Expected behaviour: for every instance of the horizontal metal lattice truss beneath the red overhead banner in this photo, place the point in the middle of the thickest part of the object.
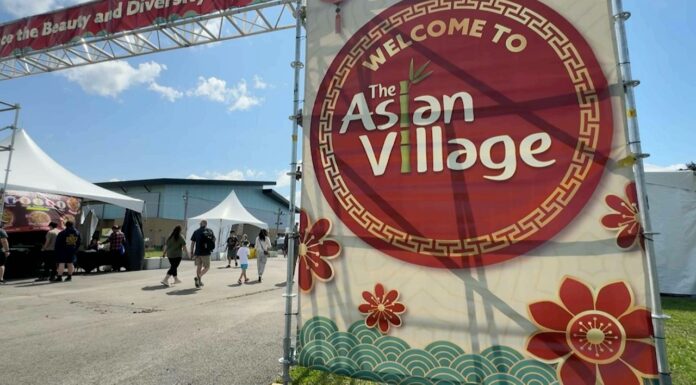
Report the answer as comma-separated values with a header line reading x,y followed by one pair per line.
x,y
234,23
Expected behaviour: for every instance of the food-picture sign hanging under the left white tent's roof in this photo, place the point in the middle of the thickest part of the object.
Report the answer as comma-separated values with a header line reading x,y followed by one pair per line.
x,y
33,211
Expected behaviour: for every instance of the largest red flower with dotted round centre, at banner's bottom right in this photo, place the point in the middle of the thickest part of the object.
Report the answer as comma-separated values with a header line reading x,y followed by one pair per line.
x,y
602,335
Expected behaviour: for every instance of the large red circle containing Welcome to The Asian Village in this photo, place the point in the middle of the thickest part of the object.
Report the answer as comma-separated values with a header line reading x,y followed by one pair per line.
x,y
502,115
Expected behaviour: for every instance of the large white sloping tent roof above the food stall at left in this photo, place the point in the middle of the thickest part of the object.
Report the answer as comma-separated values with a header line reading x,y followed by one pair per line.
x,y
33,170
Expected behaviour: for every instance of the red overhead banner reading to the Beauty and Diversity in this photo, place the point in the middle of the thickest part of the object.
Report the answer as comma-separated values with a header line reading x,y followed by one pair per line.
x,y
100,18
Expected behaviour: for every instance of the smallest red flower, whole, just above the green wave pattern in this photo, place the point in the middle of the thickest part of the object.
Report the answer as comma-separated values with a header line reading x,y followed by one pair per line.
x,y
382,308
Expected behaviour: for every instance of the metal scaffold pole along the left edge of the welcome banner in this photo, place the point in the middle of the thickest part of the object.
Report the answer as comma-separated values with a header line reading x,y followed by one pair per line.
x,y
288,354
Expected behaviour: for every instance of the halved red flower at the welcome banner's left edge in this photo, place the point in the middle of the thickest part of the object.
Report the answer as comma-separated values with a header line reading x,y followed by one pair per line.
x,y
315,251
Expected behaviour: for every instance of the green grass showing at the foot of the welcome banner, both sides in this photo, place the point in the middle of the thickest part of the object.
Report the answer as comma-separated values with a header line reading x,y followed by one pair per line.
x,y
681,349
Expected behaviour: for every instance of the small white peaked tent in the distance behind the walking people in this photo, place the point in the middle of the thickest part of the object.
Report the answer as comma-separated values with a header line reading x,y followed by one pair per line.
x,y
222,217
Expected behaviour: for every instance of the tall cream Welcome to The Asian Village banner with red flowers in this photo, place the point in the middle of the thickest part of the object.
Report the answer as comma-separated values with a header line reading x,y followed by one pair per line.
x,y
469,210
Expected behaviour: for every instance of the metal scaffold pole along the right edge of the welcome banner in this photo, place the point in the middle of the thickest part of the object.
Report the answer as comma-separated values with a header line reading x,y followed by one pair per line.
x,y
620,17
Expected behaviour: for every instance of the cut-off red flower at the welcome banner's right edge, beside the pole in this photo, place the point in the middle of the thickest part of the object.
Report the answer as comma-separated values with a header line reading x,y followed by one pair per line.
x,y
625,218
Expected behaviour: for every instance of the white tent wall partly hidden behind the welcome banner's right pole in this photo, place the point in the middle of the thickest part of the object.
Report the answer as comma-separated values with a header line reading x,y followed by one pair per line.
x,y
672,198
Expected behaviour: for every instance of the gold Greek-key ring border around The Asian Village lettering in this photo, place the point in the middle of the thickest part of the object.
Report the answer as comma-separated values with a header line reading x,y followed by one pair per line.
x,y
550,208
